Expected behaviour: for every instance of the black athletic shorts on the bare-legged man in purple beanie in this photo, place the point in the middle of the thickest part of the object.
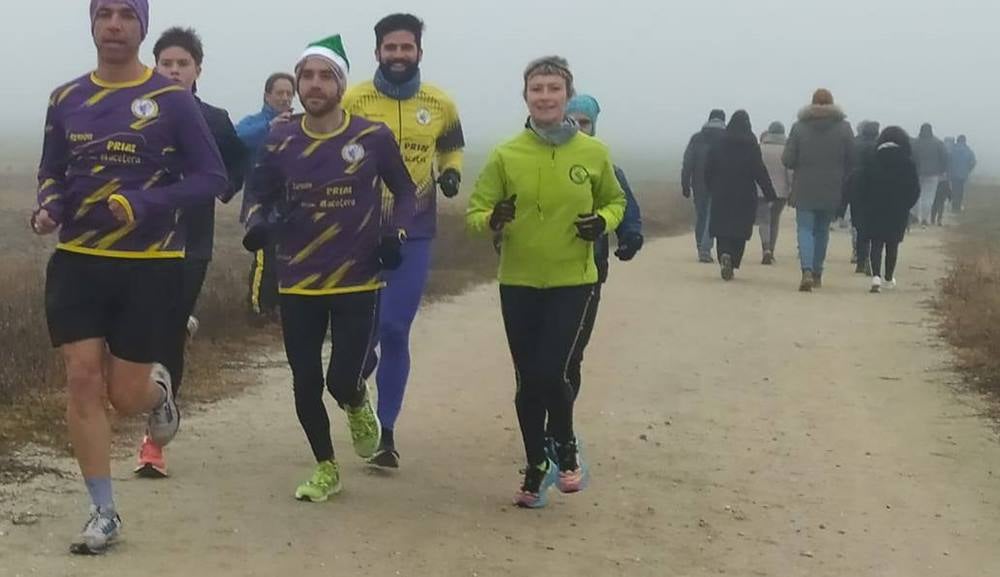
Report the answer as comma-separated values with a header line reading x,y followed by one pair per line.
x,y
130,303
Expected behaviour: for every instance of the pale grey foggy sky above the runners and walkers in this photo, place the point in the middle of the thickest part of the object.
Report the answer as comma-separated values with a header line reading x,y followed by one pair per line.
x,y
657,67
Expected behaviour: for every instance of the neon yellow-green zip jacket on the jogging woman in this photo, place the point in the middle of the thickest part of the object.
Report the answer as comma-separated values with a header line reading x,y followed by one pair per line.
x,y
554,185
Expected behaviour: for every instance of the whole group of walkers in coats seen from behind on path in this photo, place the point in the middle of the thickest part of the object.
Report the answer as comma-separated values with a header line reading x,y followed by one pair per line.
x,y
885,179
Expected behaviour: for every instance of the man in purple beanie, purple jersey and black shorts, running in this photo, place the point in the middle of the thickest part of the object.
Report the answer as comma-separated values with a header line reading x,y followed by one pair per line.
x,y
125,151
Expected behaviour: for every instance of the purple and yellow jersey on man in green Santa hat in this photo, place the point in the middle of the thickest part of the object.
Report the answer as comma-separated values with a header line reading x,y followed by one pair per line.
x,y
327,190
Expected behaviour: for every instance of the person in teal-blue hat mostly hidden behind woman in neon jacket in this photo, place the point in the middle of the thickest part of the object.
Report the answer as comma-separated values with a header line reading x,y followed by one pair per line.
x,y
584,109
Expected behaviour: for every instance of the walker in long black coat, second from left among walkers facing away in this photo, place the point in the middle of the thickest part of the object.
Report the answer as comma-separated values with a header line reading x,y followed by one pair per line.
x,y
734,171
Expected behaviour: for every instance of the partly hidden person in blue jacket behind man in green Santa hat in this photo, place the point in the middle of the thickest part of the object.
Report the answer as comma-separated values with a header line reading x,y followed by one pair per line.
x,y
279,90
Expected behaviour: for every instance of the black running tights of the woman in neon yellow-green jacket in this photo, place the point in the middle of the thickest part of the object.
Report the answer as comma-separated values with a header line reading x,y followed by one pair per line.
x,y
546,331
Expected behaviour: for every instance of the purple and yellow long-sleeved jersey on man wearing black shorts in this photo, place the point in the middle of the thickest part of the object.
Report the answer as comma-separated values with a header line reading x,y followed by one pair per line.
x,y
143,144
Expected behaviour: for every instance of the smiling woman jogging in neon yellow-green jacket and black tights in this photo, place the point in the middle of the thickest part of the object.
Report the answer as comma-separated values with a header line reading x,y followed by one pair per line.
x,y
549,194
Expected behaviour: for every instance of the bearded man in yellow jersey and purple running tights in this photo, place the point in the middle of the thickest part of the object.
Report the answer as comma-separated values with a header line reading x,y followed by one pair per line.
x,y
426,125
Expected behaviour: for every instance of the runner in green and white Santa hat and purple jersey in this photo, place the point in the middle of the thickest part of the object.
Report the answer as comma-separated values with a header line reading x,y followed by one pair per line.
x,y
317,193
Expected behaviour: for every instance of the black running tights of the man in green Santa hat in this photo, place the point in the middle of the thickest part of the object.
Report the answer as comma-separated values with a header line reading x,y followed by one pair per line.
x,y
352,320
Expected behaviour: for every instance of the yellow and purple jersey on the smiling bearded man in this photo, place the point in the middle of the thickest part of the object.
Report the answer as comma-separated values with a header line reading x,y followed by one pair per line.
x,y
430,137
